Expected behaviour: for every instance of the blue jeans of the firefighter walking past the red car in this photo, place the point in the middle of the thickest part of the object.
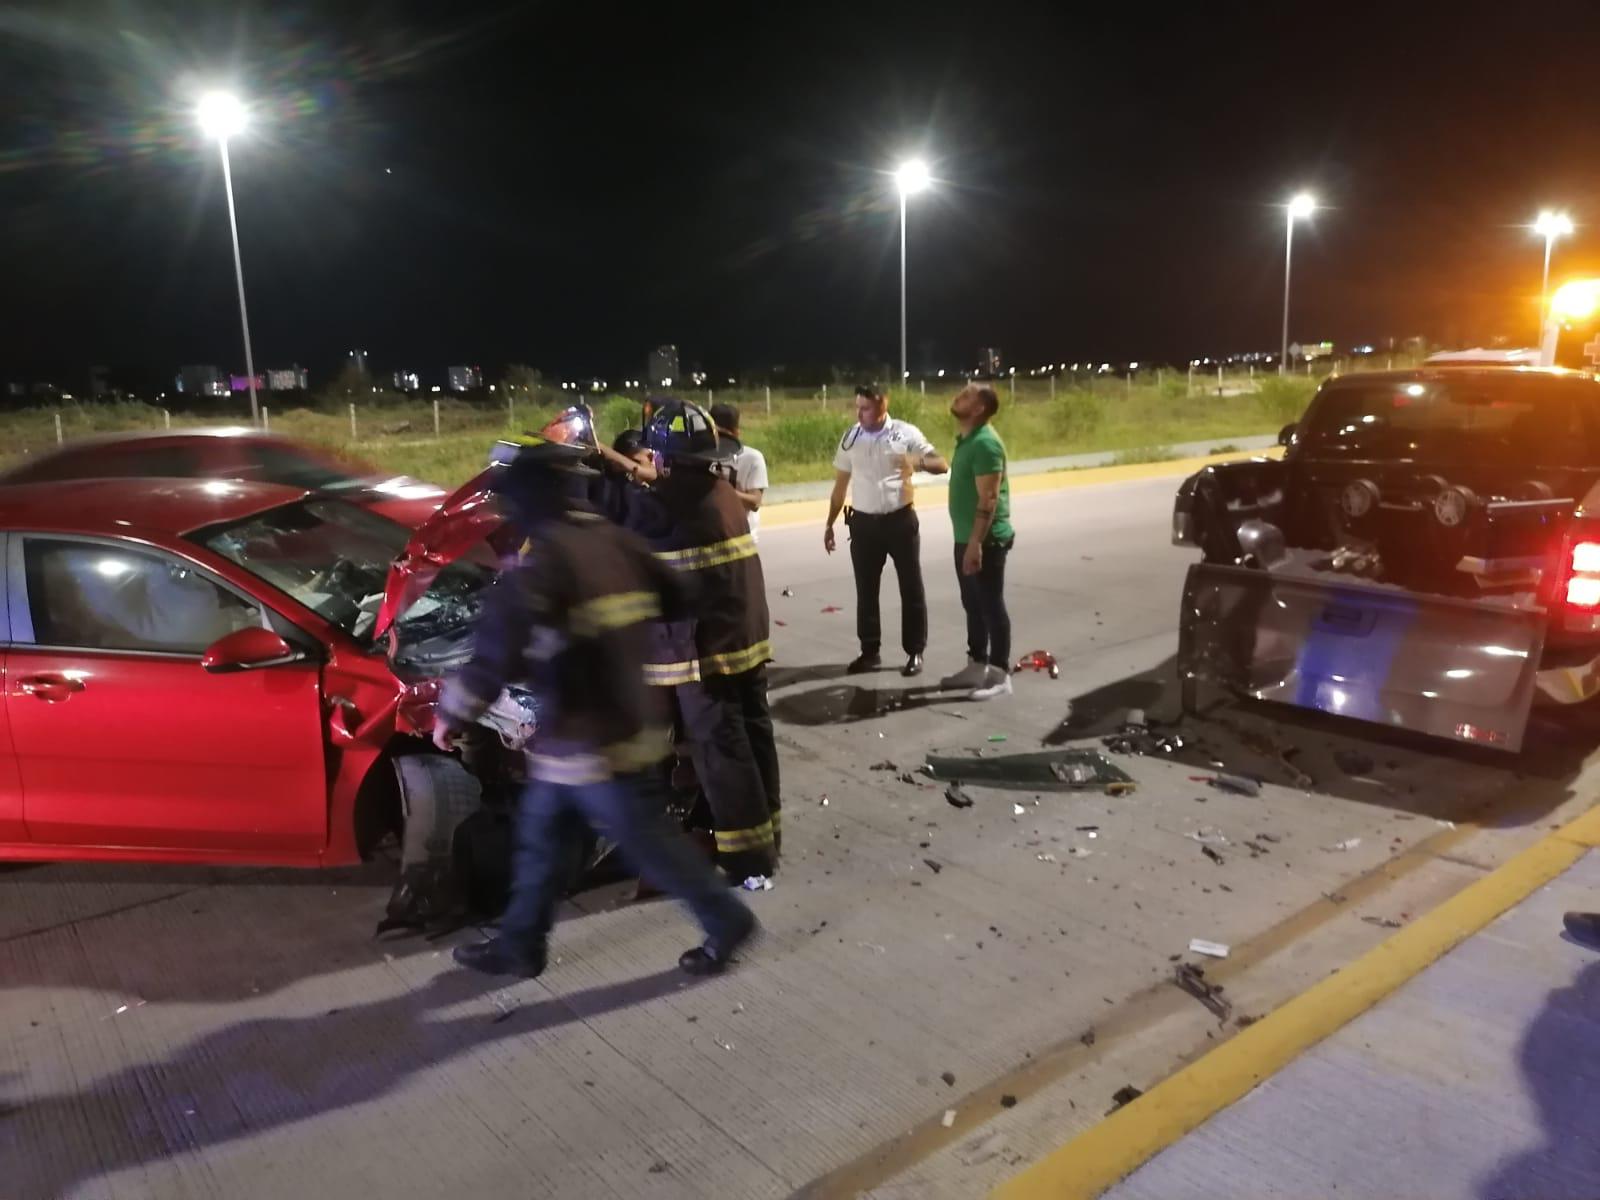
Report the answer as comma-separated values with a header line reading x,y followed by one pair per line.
x,y
628,810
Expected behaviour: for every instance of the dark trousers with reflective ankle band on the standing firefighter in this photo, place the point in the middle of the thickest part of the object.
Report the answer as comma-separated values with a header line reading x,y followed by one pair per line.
x,y
730,730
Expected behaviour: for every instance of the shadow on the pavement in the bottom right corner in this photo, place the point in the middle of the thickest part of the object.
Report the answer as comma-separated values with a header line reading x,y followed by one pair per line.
x,y
1561,1066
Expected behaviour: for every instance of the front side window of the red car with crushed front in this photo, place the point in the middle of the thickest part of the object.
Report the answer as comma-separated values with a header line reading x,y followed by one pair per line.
x,y
102,596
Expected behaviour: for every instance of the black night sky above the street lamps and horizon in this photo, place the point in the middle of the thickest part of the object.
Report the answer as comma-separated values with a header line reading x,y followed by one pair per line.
x,y
570,185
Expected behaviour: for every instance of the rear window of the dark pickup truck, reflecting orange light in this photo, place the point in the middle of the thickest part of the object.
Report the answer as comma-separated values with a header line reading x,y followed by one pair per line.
x,y
1476,420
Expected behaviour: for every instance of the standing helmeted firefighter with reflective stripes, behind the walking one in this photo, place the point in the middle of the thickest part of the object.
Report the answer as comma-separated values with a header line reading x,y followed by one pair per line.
x,y
722,681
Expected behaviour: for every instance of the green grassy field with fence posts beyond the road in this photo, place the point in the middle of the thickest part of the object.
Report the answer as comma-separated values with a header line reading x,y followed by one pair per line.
x,y
799,436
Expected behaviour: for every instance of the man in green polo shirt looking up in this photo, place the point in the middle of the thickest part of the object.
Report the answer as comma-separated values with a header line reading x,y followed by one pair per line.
x,y
982,519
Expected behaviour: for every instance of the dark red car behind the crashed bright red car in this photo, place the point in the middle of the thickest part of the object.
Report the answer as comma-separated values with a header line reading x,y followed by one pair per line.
x,y
230,454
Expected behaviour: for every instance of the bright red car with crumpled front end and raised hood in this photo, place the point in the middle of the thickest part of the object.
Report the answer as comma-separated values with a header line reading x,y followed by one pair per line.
x,y
193,673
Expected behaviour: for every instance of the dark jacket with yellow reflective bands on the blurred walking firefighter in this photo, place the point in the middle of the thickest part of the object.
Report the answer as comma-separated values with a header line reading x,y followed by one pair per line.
x,y
572,622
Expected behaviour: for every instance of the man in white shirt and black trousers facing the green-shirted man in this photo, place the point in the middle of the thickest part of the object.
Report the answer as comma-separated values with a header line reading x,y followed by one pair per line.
x,y
874,465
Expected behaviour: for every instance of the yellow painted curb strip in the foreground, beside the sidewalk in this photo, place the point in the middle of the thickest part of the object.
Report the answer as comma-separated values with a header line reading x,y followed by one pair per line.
x,y
1102,1156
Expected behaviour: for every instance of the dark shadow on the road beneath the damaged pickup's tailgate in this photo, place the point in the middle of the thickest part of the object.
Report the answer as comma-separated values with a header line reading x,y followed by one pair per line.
x,y
1345,759
